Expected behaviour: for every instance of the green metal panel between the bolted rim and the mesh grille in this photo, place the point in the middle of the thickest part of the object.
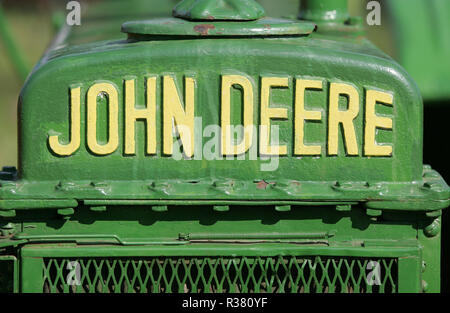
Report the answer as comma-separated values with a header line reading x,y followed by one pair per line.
x,y
203,232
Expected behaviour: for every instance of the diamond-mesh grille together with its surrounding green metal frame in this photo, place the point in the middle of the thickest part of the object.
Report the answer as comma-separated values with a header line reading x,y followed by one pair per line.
x,y
211,269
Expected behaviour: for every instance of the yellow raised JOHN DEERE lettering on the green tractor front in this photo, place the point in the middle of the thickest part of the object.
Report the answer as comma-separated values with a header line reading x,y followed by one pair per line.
x,y
178,112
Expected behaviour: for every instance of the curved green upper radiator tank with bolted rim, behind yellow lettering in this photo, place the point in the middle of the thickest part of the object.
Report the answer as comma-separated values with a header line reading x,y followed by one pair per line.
x,y
394,173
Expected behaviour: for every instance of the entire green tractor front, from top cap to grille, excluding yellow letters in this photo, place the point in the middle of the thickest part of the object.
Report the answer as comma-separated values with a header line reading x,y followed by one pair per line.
x,y
119,212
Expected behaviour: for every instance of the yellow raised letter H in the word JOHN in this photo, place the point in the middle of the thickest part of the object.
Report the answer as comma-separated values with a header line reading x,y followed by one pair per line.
x,y
132,114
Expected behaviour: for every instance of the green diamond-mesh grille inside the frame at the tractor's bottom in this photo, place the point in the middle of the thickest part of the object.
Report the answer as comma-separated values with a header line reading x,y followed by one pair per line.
x,y
221,274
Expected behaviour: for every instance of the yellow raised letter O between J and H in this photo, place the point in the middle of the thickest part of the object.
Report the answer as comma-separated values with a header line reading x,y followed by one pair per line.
x,y
110,91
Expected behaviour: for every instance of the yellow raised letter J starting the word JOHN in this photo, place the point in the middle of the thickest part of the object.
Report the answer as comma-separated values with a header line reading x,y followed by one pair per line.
x,y
75,116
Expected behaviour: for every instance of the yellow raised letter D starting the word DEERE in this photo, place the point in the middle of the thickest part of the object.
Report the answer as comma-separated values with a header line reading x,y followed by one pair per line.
x,y
228,81
